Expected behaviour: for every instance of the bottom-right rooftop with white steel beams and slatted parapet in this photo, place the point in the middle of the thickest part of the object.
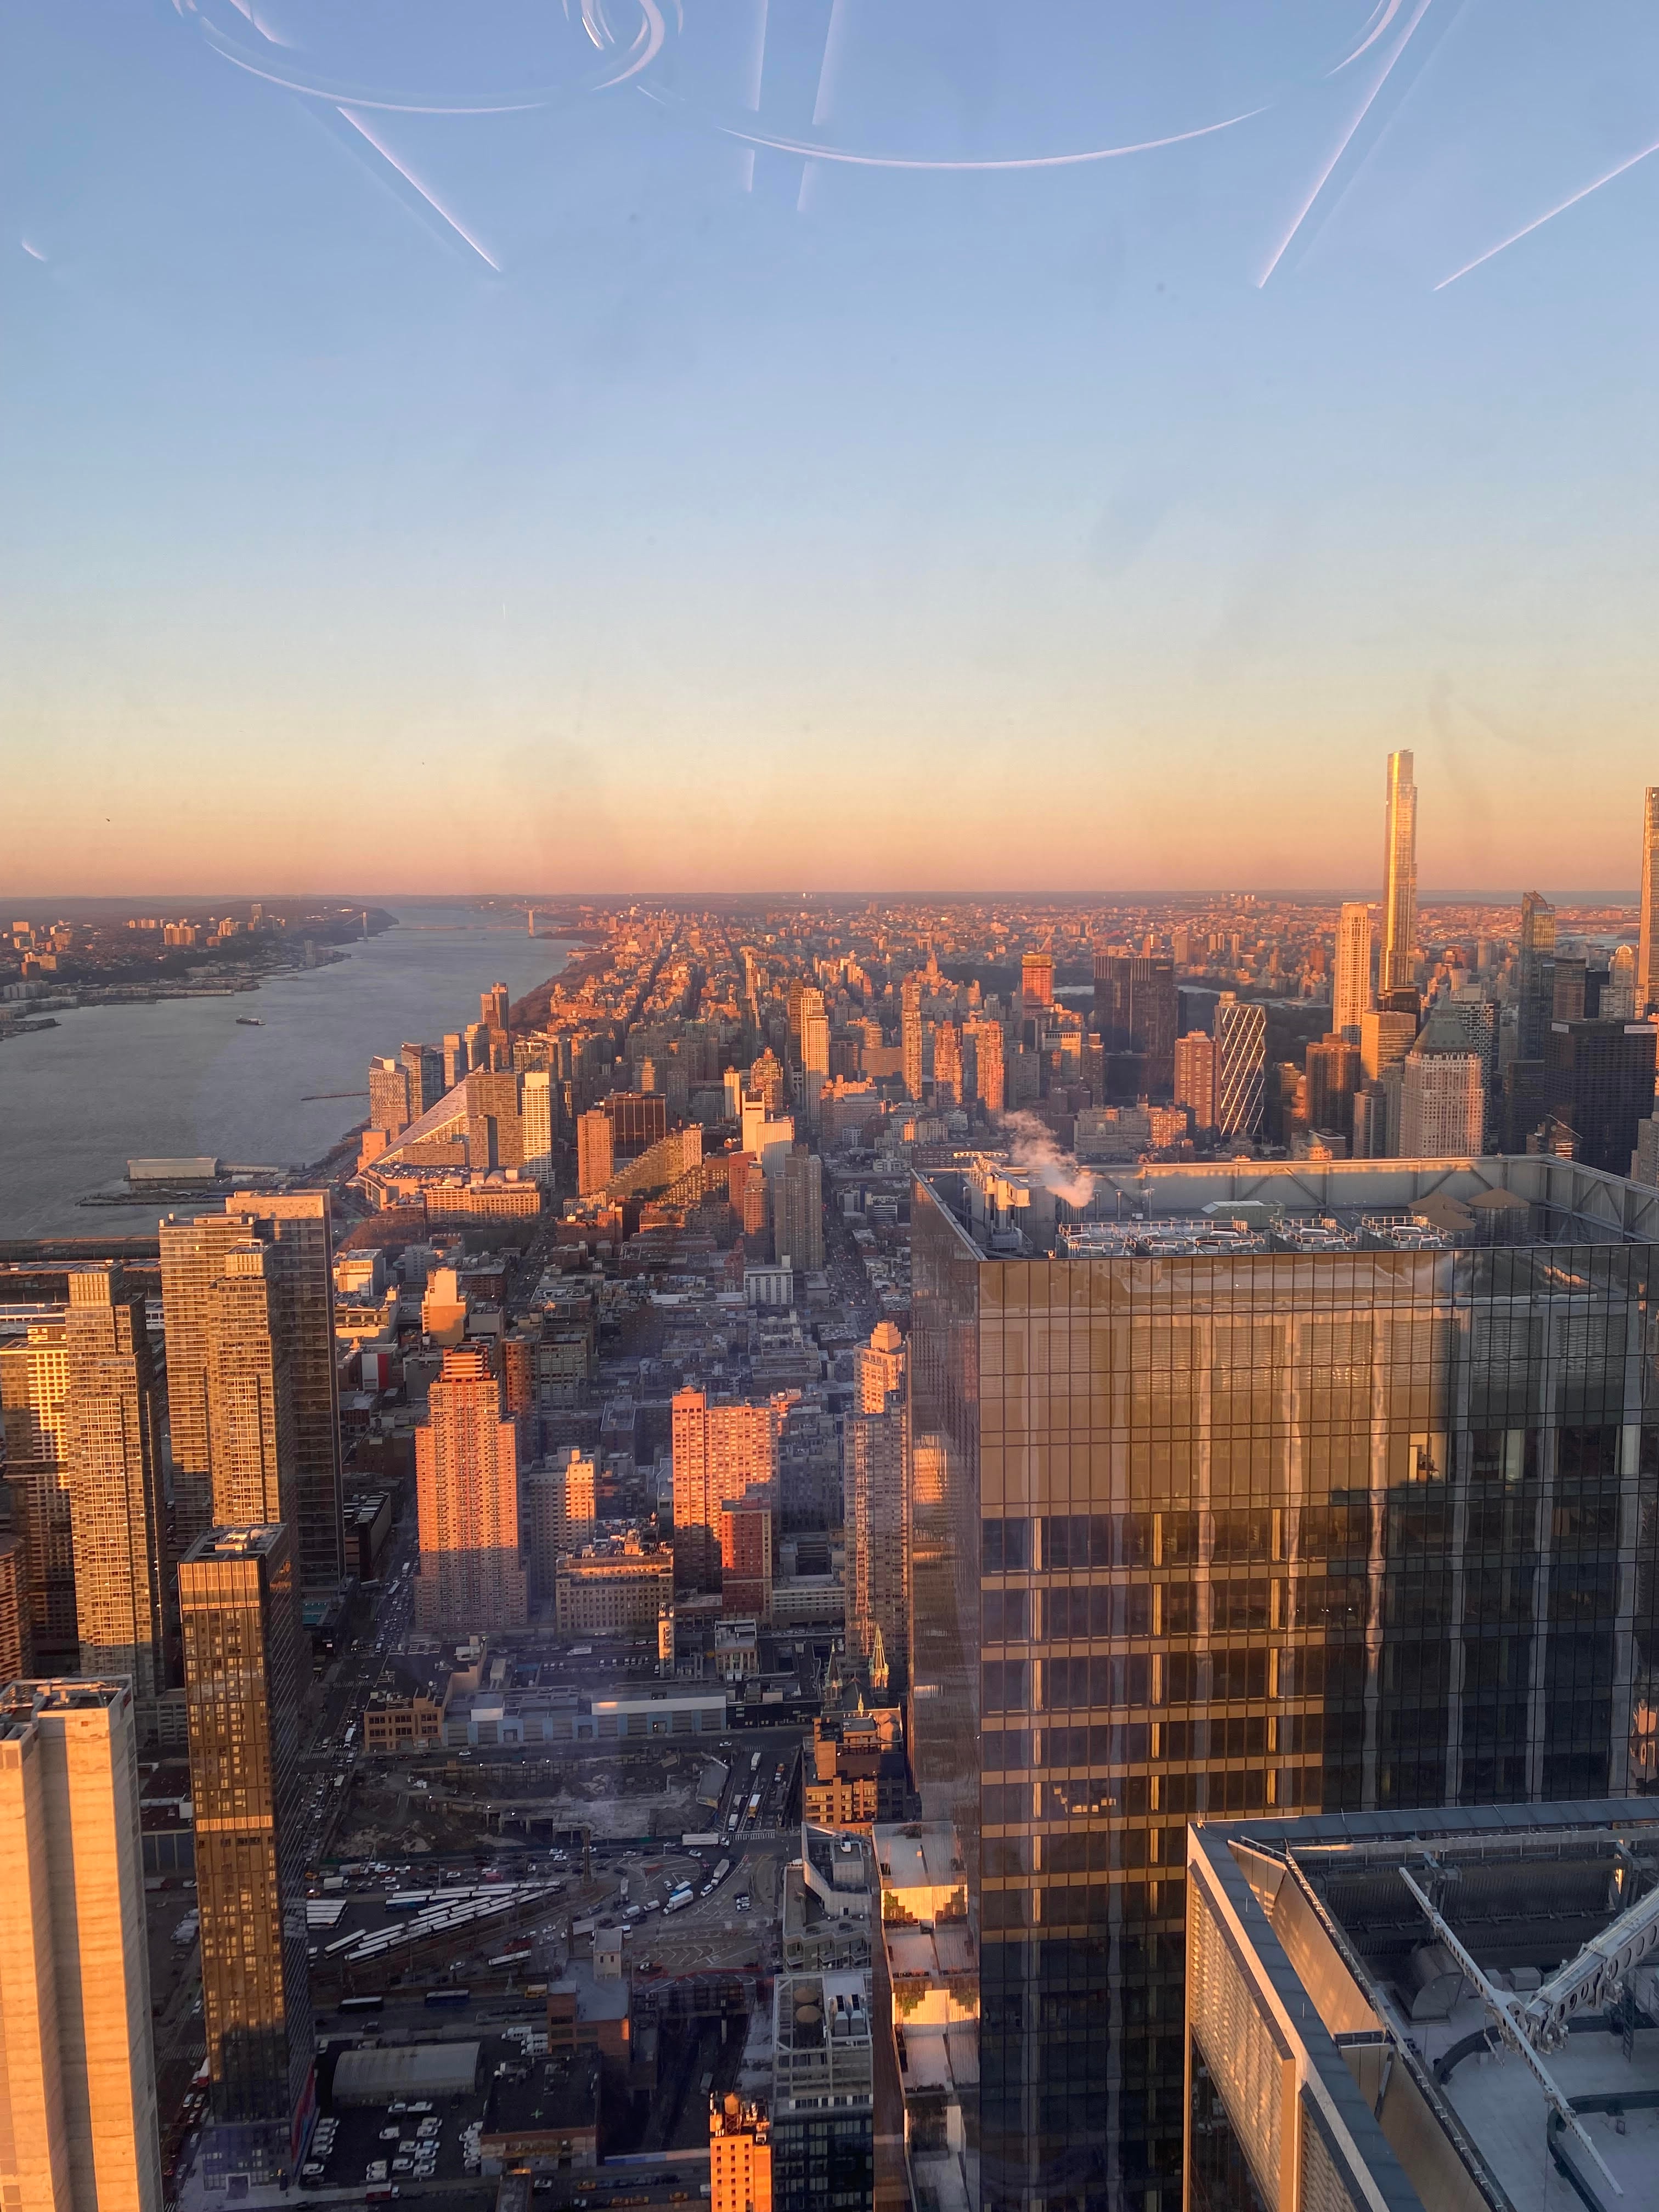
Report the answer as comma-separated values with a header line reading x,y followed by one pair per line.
x,y
1470,1996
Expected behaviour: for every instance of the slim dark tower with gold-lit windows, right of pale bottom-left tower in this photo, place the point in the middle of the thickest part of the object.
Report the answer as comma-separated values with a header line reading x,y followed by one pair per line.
x,y
242,1676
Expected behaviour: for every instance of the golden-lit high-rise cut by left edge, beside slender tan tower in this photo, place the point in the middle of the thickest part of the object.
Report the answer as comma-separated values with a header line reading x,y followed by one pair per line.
x,y
34,1408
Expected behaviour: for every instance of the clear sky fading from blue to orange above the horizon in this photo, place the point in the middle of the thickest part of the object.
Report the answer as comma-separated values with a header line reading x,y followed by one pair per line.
x,y
605,446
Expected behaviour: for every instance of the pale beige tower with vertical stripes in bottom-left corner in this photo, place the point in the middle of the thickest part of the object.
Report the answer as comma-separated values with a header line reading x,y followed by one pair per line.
x,y
79,2109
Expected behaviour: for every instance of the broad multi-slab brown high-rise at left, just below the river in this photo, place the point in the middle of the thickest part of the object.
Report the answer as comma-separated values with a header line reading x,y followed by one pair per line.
x,y
253,1388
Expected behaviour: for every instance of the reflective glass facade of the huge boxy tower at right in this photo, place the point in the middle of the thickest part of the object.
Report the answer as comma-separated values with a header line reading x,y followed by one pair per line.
x,y
1331,1530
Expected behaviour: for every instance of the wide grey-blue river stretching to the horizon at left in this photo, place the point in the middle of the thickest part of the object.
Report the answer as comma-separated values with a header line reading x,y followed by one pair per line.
x,y
182,1076
